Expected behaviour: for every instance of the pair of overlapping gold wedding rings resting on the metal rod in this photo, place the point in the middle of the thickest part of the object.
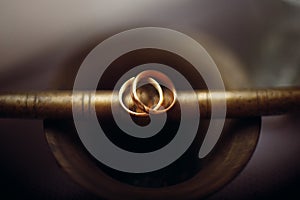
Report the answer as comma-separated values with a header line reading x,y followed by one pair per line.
x,y
151,77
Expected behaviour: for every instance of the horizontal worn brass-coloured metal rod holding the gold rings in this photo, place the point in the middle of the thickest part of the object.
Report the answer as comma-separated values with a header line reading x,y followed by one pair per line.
x,y
58,104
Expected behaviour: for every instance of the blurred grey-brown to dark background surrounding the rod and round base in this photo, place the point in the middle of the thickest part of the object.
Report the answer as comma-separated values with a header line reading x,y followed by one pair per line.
x,y
39,38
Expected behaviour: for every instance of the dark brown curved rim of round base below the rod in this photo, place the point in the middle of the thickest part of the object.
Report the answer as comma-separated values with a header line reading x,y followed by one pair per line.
x,y
231,154
